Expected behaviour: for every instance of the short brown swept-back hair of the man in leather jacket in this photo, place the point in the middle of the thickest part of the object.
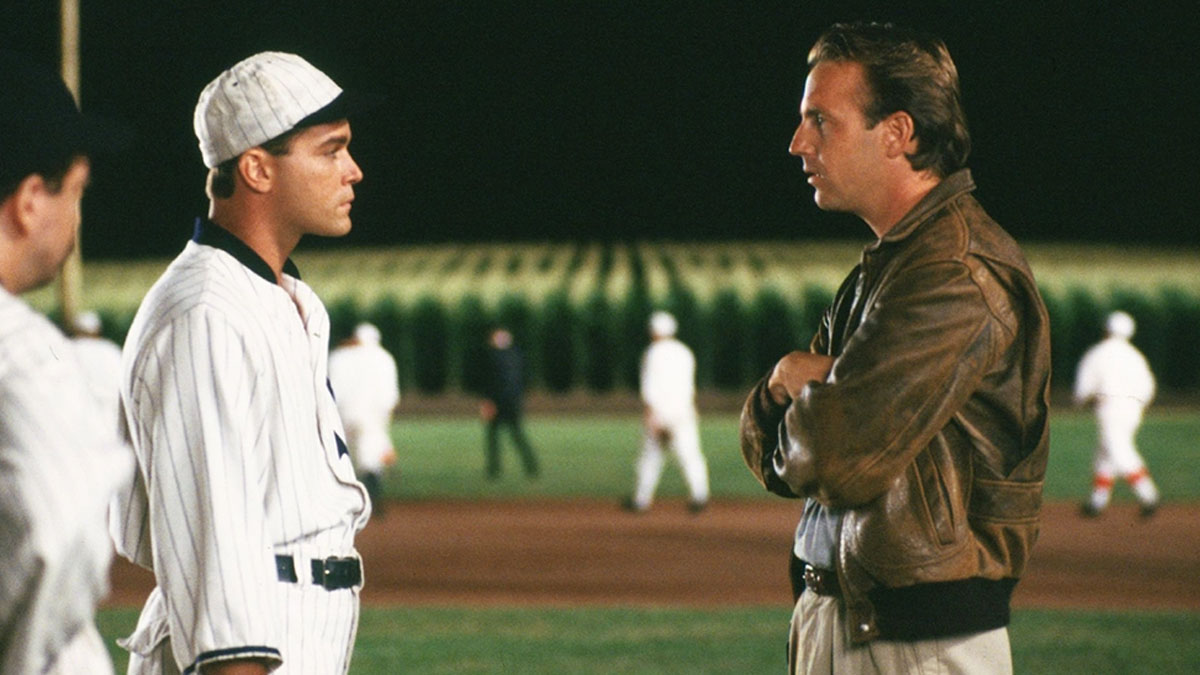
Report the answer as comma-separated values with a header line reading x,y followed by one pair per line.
x,y
907,71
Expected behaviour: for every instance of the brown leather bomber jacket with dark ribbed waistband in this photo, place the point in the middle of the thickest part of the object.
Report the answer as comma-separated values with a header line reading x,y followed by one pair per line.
x,y
932,429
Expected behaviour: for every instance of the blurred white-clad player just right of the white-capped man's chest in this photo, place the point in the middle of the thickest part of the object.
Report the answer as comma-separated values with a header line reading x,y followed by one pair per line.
x,y
368,391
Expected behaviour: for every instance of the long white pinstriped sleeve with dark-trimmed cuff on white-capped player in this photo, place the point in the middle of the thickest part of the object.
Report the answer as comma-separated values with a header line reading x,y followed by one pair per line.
x,y
200,410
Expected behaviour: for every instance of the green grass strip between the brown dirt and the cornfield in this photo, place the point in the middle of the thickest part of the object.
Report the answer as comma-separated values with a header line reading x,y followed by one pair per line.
x,y
593,456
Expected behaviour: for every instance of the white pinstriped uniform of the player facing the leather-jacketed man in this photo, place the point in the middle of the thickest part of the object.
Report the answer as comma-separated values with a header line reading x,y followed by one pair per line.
x,y
241,458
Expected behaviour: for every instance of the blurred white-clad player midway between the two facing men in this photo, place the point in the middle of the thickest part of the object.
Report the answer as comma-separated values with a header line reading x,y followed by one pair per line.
x,y
669,391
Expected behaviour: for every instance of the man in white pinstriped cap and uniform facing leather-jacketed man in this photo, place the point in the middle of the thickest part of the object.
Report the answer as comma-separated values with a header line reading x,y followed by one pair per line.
x,y
247,504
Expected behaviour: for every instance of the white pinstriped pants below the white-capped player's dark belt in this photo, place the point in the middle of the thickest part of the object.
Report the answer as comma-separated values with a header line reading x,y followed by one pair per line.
x,y
319,634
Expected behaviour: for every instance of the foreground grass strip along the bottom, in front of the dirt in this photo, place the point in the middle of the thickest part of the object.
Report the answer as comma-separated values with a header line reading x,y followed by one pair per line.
x,y
734,641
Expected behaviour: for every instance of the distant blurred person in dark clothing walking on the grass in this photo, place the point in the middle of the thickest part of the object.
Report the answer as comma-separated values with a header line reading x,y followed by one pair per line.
x,y
505,391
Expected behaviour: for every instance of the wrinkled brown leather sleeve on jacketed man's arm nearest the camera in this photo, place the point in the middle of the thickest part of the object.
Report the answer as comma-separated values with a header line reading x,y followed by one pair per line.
x,y
923,348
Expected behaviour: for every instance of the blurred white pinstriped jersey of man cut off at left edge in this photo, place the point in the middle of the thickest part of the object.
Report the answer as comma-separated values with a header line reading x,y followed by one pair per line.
x,y
59,467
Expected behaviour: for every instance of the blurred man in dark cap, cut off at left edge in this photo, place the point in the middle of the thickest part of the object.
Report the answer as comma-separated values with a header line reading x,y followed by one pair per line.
x,y
61,462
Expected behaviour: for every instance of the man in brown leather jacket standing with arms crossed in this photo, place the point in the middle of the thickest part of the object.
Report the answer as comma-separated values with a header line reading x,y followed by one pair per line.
x,y
916,426
